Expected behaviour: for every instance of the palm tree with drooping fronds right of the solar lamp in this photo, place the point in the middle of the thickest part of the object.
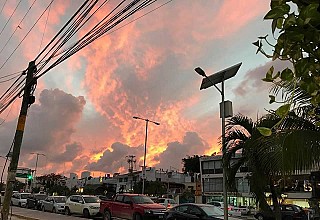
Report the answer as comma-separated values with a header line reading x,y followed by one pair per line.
x,y
293,146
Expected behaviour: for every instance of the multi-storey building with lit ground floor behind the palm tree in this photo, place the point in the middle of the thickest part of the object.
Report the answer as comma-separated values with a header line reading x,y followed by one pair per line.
x,y
297,188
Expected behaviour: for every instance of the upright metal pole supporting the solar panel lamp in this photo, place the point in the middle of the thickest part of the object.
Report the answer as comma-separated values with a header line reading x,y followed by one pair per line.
x,y
224,181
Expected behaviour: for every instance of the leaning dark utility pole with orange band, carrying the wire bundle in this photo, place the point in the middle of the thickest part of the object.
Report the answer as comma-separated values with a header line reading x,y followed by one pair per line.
x,y
26,102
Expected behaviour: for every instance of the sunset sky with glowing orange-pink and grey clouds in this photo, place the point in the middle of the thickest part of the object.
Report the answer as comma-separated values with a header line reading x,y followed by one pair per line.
x,y
82,117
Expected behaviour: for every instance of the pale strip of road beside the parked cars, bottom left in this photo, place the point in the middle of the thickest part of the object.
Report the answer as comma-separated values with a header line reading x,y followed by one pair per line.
x,y
40,215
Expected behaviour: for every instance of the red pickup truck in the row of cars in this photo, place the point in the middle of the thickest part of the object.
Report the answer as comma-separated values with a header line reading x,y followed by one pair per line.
x,y
131,206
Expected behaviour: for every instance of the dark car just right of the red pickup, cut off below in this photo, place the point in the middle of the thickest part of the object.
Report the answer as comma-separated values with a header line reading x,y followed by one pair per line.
x,y
190,211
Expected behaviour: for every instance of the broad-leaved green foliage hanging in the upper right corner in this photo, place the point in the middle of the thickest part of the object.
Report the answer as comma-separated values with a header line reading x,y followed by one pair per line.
x,y
296,29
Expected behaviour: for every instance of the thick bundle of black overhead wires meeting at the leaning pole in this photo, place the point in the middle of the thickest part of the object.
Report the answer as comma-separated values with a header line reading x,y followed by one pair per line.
x,y
55,48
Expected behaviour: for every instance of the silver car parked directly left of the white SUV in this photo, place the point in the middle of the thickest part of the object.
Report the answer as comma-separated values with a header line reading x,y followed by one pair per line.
x,y
54,204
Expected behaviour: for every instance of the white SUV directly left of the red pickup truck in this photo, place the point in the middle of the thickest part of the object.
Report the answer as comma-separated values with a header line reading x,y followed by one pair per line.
x,y
87,205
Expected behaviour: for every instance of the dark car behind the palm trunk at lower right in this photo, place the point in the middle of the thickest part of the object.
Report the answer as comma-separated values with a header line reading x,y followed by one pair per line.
x,y
288,212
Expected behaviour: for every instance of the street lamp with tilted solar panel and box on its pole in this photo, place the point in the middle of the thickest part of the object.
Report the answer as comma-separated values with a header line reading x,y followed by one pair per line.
x,y
207,82
